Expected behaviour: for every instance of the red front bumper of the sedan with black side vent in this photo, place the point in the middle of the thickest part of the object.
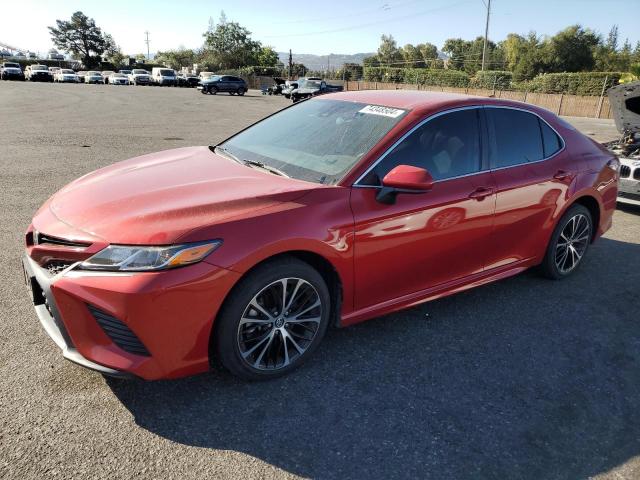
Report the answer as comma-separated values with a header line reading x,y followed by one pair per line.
x,y
171,313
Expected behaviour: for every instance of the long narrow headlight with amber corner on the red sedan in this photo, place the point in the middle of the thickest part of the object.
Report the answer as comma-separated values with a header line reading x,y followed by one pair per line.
x,y
133,258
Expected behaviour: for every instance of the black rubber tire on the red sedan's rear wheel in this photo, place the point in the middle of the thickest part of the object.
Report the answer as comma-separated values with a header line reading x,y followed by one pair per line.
x,y
552,265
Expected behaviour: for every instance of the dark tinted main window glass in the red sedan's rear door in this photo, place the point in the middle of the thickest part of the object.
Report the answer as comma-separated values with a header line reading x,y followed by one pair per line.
x,y
516,135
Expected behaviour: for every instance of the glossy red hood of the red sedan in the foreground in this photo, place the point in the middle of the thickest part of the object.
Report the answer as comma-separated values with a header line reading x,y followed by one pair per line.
x,y
160,197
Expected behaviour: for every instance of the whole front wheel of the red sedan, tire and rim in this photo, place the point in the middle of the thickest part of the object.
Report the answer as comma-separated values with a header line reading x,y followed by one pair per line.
x,y
273,320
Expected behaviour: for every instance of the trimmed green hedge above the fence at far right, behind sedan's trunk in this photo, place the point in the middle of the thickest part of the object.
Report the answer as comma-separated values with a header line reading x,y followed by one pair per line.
x,y
579,83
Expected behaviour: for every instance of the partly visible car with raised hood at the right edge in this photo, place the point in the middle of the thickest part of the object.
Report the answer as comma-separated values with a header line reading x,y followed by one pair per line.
x,y
625,104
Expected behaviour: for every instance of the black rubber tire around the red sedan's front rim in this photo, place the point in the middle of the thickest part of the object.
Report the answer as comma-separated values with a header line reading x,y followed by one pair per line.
x,y
226,340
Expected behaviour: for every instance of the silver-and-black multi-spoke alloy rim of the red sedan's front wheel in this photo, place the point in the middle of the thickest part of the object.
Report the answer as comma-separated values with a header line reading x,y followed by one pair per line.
x,y
279,324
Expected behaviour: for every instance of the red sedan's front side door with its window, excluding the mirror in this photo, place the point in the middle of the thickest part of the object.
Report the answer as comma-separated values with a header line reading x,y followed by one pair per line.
x,y
427,239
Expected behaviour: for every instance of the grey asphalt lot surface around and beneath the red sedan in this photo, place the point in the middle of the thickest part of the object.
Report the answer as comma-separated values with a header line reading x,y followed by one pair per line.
x,y
524,378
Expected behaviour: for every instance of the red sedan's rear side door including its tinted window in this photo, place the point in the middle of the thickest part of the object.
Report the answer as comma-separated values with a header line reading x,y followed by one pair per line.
x,y
532,176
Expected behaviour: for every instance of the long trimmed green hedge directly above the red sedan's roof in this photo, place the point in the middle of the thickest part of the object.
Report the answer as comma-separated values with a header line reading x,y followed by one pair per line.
x,y
422,76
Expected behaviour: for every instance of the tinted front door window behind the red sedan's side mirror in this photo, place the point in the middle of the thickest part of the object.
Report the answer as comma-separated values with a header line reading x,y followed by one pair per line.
x,y
447,146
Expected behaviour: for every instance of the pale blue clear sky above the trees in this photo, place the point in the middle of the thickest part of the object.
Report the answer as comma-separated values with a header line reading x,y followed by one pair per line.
x,y
315,26
